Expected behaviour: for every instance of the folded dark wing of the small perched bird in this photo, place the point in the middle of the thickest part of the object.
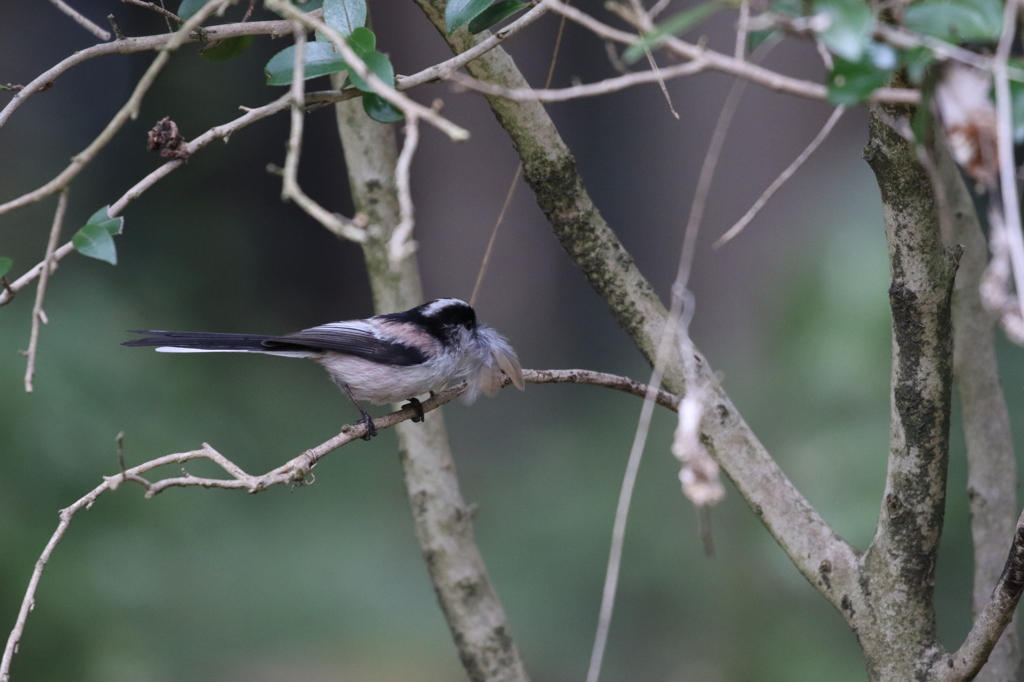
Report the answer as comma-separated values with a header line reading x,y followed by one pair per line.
x,y
353,338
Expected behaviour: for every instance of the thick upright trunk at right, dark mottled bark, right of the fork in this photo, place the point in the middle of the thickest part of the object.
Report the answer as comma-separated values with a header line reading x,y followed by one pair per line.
x,y
900,566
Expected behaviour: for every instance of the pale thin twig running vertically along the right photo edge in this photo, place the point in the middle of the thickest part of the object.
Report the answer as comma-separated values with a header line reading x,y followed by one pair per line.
x,y
1008,169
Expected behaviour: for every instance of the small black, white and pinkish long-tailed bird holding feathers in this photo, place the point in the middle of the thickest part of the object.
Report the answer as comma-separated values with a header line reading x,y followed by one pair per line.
x,y
385,359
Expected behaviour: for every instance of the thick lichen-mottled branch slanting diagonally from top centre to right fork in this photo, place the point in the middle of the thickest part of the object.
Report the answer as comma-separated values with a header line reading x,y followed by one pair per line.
x,y
828,563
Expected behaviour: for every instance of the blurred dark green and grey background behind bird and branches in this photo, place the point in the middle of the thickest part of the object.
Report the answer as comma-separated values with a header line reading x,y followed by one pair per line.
x,y
325,582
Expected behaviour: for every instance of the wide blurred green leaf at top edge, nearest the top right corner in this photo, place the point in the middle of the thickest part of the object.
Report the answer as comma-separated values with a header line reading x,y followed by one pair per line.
x,y
957,21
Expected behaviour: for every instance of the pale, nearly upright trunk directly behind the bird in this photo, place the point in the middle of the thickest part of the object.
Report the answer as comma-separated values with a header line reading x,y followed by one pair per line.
x,y
443,520
